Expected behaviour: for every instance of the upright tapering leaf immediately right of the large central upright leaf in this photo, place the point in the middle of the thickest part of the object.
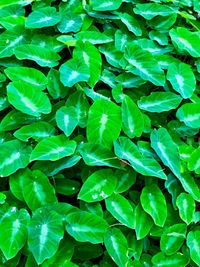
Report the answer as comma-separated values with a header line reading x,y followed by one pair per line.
x,y
132,119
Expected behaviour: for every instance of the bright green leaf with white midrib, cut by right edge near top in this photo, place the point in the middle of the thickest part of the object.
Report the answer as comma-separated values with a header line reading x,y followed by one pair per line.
x,y
187,42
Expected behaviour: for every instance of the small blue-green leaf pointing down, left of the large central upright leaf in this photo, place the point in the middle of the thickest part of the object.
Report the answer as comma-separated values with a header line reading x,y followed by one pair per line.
x,y
67,119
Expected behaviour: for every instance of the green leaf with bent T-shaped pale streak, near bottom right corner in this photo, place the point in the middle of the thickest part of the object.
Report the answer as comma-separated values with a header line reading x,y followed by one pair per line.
x,y
173,238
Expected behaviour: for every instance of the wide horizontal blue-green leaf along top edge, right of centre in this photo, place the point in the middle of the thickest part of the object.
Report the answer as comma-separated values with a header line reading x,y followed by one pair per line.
x,y
151,10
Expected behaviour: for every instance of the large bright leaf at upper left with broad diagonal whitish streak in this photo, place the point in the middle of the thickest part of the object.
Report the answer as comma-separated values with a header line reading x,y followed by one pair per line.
x,y
27,99
